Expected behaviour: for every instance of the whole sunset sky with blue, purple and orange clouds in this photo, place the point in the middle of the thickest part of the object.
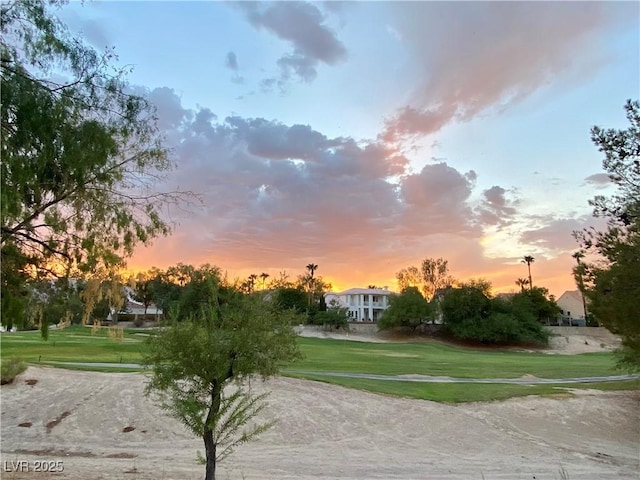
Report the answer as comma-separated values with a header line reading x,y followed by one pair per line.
x,y
366,136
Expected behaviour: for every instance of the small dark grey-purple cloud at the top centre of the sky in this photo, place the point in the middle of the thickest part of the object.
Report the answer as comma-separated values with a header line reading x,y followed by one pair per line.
x,y
302,25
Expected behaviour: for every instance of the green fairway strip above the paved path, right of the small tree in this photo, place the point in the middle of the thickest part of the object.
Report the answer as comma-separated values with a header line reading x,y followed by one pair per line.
x,y
439,359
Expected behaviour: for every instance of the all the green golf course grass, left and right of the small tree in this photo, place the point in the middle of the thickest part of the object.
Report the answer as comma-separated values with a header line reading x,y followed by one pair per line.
x,y
82,344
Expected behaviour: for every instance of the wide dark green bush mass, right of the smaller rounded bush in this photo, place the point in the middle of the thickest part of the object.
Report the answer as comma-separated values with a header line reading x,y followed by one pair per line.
x,y
469,314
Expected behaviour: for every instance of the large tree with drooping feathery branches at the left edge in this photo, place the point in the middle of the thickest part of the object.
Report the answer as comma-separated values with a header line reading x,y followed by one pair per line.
x,y
81,157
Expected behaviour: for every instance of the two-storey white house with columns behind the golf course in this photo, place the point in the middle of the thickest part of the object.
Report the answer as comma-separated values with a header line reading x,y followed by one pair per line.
x,y
364,304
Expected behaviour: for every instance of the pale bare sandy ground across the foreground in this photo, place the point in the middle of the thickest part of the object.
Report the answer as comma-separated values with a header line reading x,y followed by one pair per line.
x,y
102,427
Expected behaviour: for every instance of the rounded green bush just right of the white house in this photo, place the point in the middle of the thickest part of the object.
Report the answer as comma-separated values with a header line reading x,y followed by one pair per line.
x,y
407,309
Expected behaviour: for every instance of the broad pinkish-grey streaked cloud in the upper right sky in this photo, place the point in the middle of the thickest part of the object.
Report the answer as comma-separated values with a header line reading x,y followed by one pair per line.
x,y
475,56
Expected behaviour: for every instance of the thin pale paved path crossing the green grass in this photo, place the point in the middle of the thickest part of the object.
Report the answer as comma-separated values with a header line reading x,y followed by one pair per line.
x,y
526,380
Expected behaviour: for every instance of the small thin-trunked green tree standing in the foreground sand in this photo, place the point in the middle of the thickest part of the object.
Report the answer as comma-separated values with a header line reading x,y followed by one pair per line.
x,y
196,359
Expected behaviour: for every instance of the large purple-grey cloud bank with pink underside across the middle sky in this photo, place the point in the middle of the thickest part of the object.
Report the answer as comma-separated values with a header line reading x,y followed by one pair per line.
x,y
276,196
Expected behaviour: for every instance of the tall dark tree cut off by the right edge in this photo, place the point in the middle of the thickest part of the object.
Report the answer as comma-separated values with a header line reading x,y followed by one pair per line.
x,y
612,281
